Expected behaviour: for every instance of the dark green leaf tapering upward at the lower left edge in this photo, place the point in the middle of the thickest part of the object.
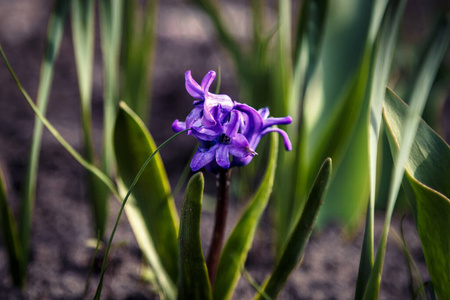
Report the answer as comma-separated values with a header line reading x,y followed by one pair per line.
x,y
11,237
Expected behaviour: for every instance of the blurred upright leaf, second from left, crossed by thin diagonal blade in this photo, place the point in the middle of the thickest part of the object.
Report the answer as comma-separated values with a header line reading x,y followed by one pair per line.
x,y
83,29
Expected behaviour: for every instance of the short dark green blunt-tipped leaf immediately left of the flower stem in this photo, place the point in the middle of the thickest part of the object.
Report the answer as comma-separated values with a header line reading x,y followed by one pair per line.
x,y
193,282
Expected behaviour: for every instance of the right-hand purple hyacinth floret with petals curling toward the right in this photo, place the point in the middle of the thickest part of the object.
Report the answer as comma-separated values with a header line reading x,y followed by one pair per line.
x,y
255,124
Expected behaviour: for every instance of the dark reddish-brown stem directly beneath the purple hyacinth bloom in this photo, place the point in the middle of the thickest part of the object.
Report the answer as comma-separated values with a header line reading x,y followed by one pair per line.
x,y
223,192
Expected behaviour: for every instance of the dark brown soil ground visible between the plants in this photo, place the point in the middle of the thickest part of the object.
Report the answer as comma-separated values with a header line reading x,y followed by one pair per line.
x,y
60,258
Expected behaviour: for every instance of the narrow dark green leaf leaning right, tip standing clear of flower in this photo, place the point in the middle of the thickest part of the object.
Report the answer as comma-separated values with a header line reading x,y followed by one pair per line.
x,y
302,231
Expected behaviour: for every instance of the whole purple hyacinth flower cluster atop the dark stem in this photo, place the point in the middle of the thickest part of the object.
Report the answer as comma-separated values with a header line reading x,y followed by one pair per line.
x,y
225,127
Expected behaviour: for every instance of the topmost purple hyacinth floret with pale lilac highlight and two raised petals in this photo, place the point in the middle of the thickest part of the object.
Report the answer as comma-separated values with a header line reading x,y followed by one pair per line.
x,y
209,100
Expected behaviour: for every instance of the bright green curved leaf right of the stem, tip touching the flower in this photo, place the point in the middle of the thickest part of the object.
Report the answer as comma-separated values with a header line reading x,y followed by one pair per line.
x,y
239,243
